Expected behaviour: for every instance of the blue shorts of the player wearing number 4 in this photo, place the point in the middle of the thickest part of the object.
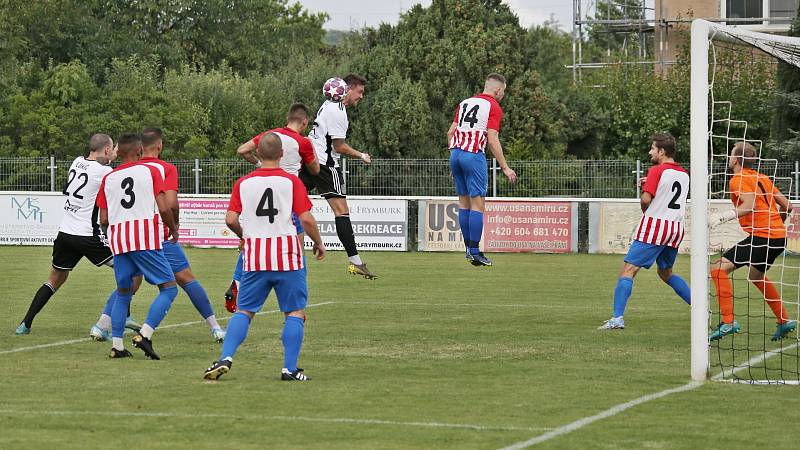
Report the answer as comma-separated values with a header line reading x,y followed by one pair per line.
x,y
290,288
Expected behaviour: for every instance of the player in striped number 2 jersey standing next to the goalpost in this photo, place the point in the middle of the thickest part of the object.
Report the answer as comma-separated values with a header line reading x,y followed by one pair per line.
x,y
660,230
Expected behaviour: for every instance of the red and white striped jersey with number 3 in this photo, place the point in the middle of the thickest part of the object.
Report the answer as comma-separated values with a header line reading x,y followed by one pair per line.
x,y
129,194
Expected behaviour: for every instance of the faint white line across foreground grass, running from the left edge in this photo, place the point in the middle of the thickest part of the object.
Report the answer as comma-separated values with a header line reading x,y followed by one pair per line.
x,y
266,418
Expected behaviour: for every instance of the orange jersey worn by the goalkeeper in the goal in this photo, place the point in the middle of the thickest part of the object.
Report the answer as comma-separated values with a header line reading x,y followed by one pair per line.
x,y
765,220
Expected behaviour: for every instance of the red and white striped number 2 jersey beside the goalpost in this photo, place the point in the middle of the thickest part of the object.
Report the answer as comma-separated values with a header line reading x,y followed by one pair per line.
x,y
662,223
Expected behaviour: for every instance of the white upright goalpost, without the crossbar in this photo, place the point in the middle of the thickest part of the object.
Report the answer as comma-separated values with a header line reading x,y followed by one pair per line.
x,y
699,191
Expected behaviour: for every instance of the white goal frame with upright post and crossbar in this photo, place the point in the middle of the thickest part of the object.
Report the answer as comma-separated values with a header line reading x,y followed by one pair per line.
x,y
784,48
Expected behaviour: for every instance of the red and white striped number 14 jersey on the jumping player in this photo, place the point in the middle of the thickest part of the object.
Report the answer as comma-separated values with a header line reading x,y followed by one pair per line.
x,y
474,118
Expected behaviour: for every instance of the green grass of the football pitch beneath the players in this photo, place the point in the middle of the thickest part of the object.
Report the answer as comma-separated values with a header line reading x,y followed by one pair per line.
x,y
434,354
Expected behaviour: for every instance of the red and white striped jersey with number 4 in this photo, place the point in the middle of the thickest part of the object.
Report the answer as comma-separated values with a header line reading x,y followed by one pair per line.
x,y
265,200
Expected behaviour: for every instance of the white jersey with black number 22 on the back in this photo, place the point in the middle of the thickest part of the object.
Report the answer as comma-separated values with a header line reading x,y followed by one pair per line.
x,y
83,183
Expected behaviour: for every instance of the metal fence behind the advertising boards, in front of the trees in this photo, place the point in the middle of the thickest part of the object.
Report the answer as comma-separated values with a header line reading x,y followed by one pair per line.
x,y
405,177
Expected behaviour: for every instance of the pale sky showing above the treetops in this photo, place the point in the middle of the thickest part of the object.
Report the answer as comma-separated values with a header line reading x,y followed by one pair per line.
x,y
351,14
